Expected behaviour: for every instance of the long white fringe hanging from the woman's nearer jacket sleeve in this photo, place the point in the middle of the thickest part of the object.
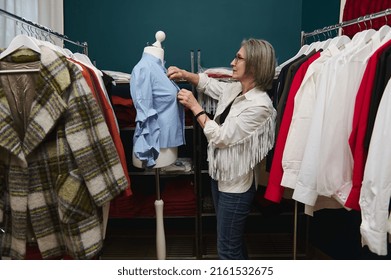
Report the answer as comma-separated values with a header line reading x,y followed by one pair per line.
x,y
228,163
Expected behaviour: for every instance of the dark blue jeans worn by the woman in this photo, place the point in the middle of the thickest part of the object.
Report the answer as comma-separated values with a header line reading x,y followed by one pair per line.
x,y
231,210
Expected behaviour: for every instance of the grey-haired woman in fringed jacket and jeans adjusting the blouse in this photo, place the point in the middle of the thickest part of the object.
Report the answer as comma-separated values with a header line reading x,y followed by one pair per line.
x,y
239,136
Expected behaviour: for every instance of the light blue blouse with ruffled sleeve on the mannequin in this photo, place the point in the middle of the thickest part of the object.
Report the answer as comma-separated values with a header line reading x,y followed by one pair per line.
x,y
160,121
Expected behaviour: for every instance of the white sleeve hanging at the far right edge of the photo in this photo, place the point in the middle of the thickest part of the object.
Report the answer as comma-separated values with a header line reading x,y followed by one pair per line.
x,y
376,188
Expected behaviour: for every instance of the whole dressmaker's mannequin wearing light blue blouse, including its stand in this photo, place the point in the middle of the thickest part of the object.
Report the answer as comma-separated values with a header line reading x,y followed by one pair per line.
x,y
159,122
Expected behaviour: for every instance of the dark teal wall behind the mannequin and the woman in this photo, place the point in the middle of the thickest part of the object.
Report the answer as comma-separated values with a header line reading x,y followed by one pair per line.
x,y
118,30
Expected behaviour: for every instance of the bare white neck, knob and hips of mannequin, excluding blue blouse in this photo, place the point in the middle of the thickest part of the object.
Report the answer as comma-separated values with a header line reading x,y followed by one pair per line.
x,y
166,156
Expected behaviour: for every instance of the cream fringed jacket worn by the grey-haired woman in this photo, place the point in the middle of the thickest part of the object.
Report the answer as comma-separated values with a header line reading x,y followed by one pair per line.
x,y
236,147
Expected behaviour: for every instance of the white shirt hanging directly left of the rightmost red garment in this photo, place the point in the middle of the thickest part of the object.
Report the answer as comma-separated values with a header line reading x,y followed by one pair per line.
x,y
334,176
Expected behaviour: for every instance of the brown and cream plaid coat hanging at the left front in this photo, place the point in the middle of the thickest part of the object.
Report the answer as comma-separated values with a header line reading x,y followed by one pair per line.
x,y
64,169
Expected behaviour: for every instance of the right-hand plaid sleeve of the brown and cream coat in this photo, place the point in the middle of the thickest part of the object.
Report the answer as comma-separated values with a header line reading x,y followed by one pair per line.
x,y
91,144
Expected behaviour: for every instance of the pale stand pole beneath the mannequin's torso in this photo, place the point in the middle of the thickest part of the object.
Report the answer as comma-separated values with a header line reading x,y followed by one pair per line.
x,y
160,236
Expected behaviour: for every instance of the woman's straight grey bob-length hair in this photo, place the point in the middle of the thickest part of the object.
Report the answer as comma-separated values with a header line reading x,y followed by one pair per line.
x,y
260,62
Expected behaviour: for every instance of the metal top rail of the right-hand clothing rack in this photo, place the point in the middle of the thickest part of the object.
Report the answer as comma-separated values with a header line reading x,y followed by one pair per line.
x,y
343,24
